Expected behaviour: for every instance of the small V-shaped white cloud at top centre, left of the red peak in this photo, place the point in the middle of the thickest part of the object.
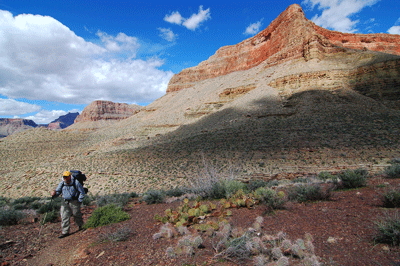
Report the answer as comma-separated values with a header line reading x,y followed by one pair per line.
x,y
191,23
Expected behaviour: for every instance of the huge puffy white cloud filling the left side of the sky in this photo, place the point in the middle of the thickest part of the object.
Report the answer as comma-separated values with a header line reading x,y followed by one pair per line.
x,y
41,59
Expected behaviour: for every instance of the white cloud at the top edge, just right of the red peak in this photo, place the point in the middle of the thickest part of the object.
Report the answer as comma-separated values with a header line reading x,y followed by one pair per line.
x,y
336,14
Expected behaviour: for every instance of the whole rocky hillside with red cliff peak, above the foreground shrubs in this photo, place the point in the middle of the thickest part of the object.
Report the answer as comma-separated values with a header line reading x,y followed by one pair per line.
x,y
293,100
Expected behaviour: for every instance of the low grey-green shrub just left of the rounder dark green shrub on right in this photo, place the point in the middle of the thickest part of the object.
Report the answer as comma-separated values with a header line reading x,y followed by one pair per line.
x,y
308,192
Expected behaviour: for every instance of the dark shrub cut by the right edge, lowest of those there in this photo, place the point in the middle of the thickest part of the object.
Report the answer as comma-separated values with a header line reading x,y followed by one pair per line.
x,y
388,229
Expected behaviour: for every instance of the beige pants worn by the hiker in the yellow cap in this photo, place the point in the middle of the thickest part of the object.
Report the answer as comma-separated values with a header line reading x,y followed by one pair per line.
x,y
68,209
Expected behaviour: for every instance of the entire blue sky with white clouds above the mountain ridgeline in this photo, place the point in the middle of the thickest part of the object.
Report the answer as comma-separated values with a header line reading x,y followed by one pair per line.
x,y
59,56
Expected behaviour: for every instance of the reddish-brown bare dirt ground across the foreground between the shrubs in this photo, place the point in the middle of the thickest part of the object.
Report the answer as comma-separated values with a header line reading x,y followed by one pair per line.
x,y
348,218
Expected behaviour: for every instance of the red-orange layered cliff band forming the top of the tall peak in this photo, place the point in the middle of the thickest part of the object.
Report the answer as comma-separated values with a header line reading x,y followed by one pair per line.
x,y
290,36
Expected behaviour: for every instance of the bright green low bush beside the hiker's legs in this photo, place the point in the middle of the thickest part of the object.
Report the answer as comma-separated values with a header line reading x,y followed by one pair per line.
x,y
106,215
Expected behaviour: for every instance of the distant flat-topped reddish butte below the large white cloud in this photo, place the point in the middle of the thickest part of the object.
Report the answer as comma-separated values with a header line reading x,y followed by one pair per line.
x,y
107,110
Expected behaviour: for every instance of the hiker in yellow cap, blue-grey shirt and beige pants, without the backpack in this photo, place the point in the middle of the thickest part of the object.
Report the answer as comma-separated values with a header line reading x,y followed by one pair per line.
x,y
73,194
